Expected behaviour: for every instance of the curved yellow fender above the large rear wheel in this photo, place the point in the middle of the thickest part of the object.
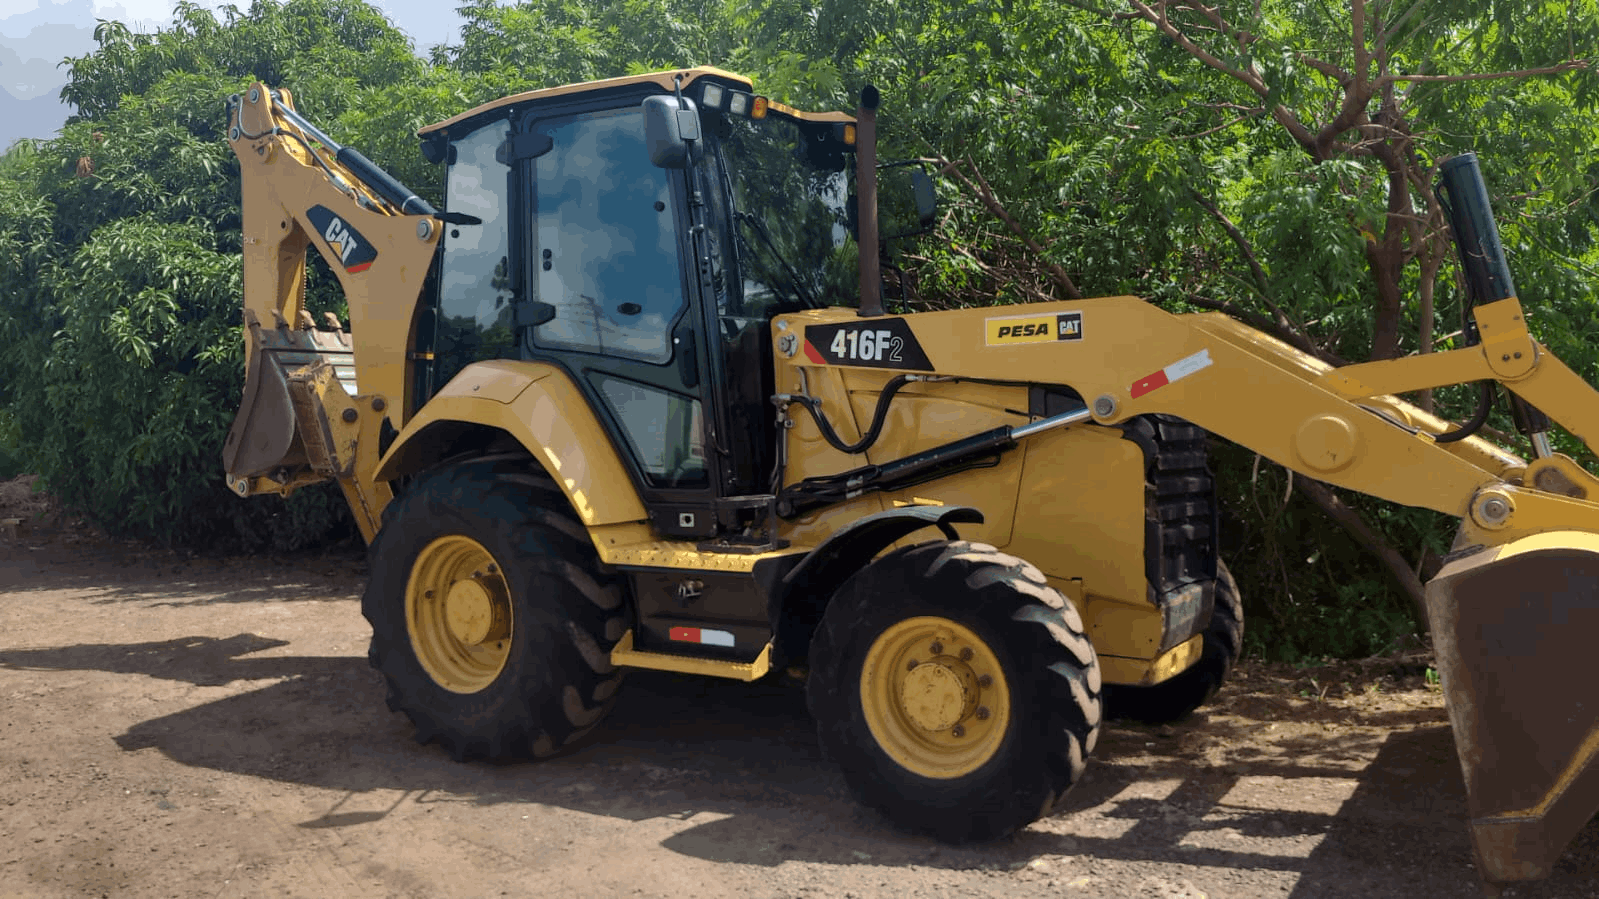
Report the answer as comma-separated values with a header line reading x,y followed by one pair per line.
x,y
541,409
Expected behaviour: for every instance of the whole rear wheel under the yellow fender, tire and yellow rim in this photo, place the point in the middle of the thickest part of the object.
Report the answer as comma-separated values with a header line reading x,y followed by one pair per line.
x,y
492,620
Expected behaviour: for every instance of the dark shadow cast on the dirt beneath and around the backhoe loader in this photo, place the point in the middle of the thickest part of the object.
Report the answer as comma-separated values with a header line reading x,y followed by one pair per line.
x,y
680,746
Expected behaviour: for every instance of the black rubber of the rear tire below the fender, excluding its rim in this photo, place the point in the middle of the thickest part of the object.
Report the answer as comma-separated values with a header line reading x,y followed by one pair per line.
x,y
557,681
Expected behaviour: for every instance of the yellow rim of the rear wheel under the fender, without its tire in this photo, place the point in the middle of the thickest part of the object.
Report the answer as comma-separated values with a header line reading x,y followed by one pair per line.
x,y
458,613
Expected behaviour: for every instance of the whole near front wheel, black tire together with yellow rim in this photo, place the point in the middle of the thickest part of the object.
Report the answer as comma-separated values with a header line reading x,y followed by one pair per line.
x,y
955,689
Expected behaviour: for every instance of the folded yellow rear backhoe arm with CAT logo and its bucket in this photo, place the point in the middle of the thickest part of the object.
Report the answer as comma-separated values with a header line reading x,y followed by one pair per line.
x,y
316,401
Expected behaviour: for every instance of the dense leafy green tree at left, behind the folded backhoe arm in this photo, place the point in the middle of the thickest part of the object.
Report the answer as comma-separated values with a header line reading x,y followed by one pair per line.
x,y
122,274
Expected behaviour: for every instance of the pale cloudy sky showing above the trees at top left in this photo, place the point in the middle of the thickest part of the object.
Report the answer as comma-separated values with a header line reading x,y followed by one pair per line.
x,y
36,36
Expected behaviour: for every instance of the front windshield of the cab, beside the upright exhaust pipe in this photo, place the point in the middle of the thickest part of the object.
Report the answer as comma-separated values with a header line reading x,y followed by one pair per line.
x,y
789,212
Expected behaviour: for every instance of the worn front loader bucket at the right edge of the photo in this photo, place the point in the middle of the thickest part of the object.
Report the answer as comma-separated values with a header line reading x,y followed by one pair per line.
x,y
1515,629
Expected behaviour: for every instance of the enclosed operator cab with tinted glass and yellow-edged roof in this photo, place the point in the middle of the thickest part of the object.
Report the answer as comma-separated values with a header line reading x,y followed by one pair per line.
x,y
648,265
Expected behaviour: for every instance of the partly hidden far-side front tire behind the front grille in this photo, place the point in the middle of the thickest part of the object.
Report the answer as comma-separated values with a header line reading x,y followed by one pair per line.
x,y
1182,695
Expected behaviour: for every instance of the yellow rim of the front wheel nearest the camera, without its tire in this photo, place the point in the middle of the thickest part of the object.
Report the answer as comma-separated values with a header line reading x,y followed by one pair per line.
x,y
935,697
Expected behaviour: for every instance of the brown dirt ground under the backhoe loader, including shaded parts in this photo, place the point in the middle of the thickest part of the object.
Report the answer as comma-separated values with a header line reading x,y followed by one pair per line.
x,y
197,727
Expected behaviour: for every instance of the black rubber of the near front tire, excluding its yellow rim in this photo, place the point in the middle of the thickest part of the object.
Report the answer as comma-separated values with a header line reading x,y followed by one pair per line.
x,y
1048,661
